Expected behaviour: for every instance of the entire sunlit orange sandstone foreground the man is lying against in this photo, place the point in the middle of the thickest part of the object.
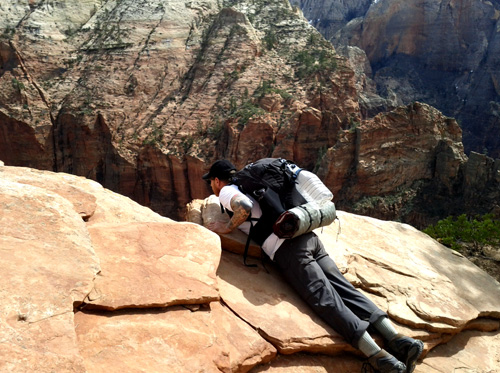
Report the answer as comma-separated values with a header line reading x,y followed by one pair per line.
x,y
99,283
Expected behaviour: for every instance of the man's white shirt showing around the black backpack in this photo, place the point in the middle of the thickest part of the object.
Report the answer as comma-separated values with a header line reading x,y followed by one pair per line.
x,y
273,242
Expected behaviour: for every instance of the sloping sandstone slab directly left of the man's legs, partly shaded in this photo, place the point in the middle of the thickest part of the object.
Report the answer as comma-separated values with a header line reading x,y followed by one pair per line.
x,y
270,305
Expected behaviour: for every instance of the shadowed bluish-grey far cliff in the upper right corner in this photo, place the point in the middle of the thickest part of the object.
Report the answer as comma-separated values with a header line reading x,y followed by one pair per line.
x,y
439,52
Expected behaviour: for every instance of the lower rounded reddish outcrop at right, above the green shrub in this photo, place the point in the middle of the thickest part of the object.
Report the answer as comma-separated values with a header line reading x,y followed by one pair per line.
x,y
413,183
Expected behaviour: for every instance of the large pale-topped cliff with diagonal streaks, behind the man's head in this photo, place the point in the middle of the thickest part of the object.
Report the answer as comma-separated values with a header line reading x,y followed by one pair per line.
x,y
141,98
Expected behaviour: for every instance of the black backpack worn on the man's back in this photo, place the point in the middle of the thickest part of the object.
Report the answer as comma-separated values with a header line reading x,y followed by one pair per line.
x,y
271,183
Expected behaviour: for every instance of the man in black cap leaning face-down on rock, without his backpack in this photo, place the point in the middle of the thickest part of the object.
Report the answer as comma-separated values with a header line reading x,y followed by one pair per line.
x,y
315,276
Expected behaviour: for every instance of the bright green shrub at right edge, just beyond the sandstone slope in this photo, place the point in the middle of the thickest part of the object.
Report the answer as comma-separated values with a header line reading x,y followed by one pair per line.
x,y
460,231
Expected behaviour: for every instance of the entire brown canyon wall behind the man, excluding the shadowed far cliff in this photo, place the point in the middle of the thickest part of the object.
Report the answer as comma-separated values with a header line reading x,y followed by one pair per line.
x,y
142,97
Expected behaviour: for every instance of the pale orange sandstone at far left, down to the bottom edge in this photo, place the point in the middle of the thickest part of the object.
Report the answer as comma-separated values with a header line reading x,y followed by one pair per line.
x,y
48,266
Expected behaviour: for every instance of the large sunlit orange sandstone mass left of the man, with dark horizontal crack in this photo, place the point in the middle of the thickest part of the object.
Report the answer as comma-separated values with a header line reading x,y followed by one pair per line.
x,y
66,272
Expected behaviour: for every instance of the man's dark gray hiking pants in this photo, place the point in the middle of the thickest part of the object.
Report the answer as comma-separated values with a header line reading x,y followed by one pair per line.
x,y
315,276
